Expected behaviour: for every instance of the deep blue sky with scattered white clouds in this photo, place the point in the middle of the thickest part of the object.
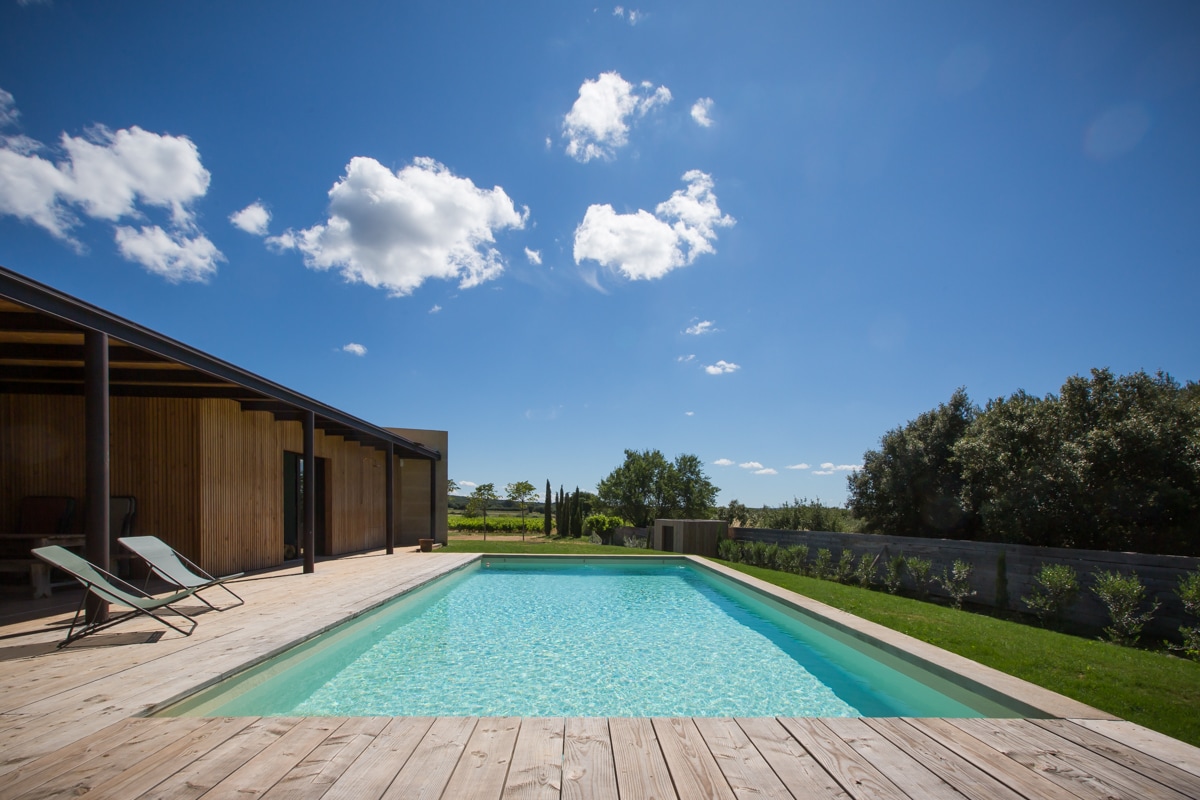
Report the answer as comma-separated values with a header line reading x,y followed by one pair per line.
x,y
760,233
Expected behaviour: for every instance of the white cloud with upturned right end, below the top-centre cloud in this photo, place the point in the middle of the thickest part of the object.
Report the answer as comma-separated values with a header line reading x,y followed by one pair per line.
x,y
649,246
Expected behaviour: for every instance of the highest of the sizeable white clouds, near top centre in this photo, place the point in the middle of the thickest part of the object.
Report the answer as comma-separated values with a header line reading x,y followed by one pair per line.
x,y
598,123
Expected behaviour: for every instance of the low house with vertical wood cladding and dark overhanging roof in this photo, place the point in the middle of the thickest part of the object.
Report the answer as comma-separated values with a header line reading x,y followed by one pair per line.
x,y
94,406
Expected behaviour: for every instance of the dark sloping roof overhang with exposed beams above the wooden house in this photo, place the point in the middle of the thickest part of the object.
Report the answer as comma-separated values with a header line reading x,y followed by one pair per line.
x,y
43,353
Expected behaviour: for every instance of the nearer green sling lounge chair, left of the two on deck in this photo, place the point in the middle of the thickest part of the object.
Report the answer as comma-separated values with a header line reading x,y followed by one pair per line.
x,y
110,588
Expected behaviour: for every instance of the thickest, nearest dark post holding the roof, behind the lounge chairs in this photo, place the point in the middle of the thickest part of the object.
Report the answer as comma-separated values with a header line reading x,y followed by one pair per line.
x,y
97,422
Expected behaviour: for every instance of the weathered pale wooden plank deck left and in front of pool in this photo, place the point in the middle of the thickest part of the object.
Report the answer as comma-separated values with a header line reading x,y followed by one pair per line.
x,y
71,725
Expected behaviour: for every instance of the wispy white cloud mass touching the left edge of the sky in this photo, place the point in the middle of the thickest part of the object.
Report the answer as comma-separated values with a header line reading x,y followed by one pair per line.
x,y
112,177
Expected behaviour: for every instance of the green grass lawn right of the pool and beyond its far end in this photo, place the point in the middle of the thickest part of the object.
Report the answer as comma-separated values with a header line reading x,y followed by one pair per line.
x,y
1151,689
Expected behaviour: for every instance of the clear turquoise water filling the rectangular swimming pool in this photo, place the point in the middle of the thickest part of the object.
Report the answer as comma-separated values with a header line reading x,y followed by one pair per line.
x,y
536,637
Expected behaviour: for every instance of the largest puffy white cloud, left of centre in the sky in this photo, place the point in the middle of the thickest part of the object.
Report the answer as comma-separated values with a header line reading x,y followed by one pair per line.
x,y
395,231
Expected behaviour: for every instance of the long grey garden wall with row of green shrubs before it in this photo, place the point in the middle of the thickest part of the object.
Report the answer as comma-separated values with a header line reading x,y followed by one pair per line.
x,y
1004,578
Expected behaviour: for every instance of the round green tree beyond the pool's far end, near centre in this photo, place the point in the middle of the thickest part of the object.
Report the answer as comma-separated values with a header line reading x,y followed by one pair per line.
x,y
649,488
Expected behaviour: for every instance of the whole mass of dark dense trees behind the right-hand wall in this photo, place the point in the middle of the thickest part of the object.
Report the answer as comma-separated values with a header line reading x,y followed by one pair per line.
x,y
1108,464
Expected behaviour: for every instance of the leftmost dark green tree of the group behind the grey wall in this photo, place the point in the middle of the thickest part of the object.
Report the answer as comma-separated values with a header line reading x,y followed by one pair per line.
x,y
911,486
